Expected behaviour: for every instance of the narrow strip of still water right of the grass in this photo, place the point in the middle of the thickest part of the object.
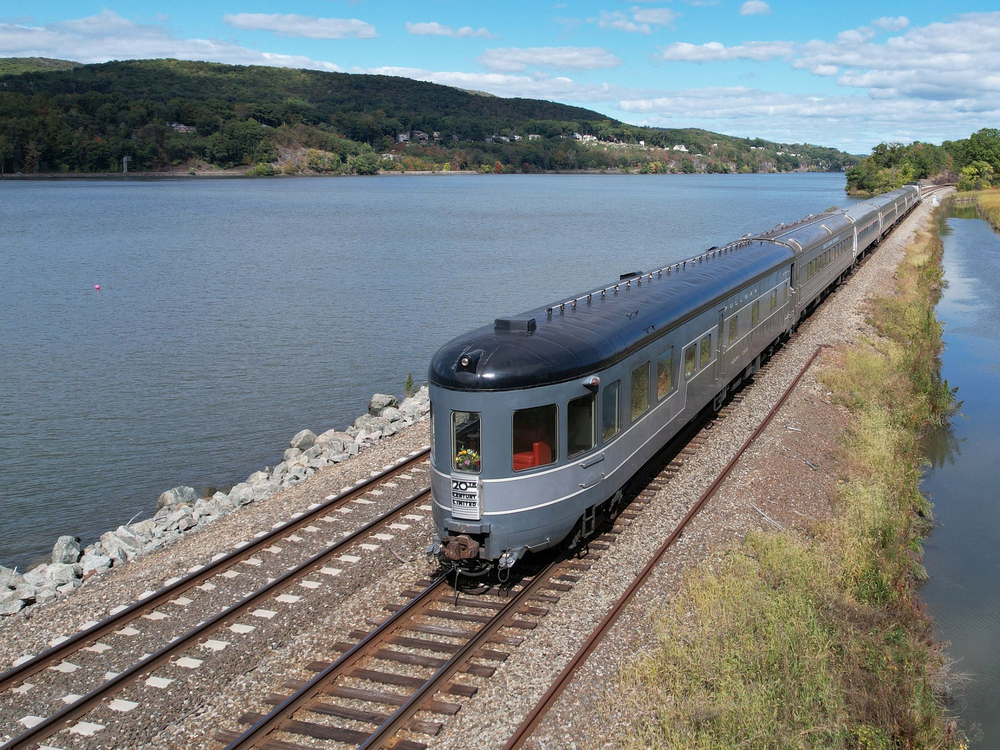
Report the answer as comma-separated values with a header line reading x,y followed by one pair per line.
x,y
963,593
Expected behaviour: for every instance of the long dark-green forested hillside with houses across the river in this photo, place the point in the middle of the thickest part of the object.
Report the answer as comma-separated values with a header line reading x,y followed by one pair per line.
x,y
175,115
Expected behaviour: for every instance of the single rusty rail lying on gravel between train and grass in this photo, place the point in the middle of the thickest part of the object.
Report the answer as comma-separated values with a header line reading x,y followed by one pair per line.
x,y
531,721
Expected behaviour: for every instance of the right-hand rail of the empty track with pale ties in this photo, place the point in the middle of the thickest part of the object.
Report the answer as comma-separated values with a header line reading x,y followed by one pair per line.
x,y
45,729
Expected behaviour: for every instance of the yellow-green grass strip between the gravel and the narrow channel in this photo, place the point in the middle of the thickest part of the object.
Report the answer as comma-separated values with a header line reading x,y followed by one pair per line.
x,y
820,642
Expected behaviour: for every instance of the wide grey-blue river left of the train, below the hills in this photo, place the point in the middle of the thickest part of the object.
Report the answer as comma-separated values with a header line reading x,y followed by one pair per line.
x,y
234,313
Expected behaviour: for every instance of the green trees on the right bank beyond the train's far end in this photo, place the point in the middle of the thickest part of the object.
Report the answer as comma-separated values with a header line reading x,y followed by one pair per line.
x,y
973,162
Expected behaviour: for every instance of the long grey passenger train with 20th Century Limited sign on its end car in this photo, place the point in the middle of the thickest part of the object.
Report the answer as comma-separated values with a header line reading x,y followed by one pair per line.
x,y
539,421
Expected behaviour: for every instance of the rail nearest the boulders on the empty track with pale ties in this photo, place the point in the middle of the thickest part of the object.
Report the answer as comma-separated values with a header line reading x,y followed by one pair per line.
x,y
21,672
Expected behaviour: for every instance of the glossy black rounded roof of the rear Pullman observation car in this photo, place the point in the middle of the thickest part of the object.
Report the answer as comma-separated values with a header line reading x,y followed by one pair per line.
x,y
588,336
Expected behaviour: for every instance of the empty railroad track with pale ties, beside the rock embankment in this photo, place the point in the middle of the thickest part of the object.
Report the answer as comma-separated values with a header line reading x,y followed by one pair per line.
x,y
312,556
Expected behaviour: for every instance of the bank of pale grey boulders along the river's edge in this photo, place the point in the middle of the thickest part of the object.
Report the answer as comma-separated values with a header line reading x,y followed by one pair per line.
x,y
180,510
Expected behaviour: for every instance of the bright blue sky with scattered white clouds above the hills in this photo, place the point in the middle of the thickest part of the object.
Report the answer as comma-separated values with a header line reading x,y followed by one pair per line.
x,y
848,74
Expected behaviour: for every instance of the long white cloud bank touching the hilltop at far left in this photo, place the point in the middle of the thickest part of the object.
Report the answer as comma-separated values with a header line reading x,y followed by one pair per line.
x,y
109,36
